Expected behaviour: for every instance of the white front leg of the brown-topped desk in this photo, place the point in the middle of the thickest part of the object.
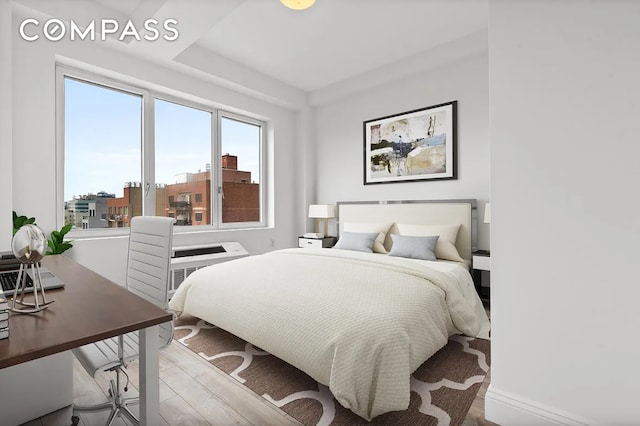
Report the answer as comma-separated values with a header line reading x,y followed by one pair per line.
x,y
149,376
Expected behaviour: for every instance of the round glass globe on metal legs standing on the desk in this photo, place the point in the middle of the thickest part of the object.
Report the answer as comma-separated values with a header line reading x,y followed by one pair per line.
x,y
29,246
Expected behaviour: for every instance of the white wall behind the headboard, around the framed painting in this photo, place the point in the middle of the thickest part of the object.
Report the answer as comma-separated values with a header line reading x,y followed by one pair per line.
x,y
339,144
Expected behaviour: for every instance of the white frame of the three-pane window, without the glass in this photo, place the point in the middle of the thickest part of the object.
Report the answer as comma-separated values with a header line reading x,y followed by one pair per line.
x,y
149,93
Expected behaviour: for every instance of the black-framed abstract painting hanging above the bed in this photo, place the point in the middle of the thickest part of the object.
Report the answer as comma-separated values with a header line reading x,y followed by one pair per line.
x,y
411,146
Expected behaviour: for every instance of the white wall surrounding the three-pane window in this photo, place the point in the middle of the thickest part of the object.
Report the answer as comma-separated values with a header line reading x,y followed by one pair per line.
x,y
33,191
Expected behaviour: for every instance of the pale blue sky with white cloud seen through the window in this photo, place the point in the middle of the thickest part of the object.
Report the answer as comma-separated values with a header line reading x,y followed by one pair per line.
x,y
103,129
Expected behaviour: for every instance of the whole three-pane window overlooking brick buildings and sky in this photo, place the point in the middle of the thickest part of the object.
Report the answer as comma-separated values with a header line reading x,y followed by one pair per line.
x,y
142,152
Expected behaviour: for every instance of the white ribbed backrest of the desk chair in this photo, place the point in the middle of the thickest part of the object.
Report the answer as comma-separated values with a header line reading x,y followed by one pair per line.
x,y
148,264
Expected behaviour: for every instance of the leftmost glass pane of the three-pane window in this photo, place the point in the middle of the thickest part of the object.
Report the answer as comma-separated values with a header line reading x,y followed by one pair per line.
x,y
103,136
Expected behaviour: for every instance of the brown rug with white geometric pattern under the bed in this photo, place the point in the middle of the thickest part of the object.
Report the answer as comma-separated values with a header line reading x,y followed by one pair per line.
x,y
442,389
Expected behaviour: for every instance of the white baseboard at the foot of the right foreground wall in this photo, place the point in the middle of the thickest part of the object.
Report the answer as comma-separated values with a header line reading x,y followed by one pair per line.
x,y
504,408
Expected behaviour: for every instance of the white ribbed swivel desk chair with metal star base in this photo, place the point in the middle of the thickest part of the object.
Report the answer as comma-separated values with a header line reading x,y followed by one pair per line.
x,y
148,262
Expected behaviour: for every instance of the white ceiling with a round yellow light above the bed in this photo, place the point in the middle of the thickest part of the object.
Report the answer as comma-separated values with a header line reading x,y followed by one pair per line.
x,y
332,42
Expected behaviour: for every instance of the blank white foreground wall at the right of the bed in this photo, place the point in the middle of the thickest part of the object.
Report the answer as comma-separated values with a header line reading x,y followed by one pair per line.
x,y
565,157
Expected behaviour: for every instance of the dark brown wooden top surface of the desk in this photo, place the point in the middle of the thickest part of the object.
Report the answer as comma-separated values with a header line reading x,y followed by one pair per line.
x,y
88,309
